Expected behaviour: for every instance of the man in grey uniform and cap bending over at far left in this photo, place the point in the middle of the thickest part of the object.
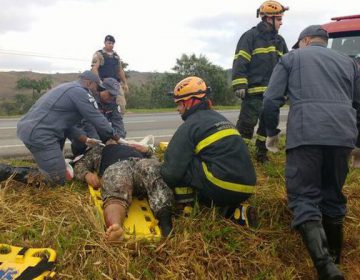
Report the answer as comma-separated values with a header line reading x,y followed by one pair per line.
x,y
43,129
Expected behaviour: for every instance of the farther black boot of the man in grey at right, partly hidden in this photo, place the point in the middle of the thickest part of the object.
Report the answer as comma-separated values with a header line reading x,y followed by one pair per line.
x,y
334,233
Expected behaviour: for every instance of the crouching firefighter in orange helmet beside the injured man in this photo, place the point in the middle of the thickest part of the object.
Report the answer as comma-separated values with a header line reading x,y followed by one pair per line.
x,y
207,153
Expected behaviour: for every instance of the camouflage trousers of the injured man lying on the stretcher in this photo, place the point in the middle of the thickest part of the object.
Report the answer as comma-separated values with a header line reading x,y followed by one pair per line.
x,y
139,177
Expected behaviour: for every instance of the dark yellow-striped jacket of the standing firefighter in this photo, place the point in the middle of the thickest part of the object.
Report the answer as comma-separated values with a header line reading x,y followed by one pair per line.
x,y
256,55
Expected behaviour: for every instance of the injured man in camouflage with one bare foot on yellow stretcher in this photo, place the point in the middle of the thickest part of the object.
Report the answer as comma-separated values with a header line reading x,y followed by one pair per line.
x,y
124,169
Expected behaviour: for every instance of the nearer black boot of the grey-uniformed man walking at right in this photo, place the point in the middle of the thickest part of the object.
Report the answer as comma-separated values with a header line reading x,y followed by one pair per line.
x,y
315,241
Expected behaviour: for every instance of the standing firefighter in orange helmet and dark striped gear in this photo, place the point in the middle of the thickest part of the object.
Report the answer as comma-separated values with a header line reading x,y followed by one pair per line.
x,y
256,55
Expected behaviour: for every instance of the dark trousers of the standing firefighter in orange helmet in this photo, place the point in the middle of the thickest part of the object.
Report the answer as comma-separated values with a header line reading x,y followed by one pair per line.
x,y
250,115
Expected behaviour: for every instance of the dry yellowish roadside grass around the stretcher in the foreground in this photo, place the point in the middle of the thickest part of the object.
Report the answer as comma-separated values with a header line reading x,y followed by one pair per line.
x,y
204,246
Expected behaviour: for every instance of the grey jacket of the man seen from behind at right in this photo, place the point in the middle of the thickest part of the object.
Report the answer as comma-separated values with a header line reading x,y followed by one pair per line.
x,y
323,88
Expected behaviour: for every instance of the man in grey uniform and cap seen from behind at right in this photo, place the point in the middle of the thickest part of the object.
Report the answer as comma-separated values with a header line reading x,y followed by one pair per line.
x,y
323,88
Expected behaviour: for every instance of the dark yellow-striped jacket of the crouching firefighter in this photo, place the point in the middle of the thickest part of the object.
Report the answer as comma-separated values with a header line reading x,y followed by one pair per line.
x,y
207,149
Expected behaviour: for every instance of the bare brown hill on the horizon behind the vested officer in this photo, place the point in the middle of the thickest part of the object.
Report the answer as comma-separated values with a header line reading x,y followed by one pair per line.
x,y
8,80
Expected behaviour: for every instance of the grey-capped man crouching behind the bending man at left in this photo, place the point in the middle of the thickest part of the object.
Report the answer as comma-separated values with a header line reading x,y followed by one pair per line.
x,y
106,102
